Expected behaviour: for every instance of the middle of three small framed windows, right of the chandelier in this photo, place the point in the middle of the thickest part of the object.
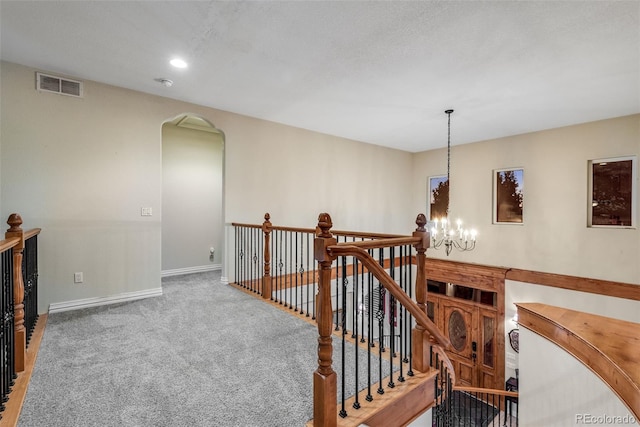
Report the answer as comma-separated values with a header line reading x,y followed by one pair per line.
x,y
508,196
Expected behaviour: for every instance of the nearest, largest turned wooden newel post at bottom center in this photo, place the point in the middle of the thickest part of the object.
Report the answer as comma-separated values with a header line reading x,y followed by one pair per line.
x,y
325,389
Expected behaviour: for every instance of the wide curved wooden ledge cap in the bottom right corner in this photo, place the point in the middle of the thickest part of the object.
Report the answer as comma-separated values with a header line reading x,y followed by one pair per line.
x,y
612,356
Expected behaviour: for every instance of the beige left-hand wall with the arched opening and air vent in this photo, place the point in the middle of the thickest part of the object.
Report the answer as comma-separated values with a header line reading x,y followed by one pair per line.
x,y
81,169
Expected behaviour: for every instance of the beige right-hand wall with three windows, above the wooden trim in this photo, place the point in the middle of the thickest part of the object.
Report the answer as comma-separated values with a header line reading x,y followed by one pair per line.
x,y
554,237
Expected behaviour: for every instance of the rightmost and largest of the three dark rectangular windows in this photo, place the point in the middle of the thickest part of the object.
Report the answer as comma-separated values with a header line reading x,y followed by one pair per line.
x,y
612,201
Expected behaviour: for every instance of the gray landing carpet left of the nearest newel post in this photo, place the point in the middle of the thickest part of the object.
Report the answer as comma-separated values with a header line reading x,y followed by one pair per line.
x,y
203,354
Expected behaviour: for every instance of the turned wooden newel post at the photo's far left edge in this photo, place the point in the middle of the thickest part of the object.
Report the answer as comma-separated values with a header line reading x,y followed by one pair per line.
x,y
15,221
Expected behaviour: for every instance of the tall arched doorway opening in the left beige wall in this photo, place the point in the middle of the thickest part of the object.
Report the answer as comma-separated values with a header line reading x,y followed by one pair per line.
x,y
192,195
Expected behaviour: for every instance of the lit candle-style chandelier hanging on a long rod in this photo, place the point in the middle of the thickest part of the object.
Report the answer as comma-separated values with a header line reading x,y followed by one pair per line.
x,y
443,231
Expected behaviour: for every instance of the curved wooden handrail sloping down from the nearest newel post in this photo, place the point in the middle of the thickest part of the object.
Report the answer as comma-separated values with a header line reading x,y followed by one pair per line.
x,y
385,280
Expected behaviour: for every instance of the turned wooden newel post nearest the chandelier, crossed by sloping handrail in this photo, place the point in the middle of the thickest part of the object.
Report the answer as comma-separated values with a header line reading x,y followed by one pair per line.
x,y
420,336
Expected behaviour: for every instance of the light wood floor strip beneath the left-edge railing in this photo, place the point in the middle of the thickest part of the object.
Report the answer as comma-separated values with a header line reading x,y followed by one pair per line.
x,y
16,398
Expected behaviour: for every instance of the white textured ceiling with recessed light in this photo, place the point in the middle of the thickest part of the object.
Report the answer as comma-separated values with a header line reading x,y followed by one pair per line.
x,y
378,72
